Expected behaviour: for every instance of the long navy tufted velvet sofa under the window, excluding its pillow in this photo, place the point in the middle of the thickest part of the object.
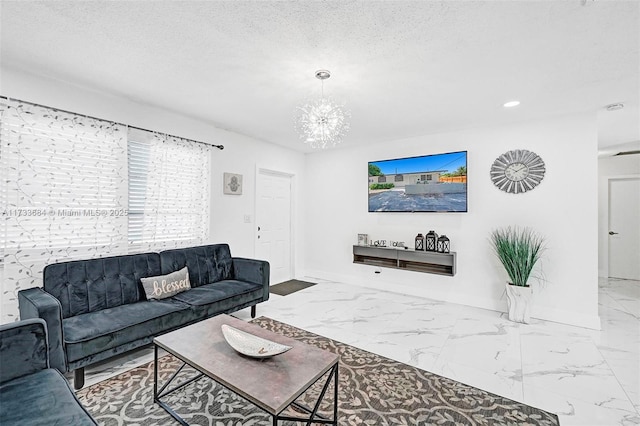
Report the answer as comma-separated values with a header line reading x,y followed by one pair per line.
x,y
97,308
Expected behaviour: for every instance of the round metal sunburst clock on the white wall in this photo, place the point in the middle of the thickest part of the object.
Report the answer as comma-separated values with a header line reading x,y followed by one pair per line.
x,y
517,171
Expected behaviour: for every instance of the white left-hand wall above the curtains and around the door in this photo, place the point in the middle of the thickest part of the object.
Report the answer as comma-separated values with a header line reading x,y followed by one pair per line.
x,y
241,154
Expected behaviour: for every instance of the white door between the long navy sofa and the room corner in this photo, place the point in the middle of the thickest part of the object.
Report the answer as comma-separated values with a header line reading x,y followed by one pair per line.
x,y
273,222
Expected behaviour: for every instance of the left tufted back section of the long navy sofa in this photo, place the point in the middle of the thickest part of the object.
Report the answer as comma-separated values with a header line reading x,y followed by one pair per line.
x,y
91,285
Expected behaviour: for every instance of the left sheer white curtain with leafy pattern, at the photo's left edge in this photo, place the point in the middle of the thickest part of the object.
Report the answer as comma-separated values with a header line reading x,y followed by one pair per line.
x,y
63,193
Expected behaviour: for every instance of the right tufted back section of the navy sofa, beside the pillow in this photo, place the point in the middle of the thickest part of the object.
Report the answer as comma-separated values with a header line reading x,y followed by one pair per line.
x,y
206,264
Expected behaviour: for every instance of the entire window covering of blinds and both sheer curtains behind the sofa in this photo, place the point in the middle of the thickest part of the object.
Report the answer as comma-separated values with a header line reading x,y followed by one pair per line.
x,y
75,187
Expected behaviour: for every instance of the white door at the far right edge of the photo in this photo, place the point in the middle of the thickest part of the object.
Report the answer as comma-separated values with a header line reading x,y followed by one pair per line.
x,y
624,228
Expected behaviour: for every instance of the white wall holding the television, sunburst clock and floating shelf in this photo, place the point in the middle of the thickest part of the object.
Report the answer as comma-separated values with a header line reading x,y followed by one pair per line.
x,y
563,208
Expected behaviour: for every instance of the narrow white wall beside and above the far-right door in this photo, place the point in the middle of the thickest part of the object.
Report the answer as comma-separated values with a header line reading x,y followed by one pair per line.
x,y
610,167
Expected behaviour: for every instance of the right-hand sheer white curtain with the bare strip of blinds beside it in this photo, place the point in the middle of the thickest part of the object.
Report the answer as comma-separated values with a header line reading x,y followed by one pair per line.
x,y
169,191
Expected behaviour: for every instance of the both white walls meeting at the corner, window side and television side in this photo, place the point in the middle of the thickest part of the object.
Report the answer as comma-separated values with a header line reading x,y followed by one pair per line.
x,y
564,207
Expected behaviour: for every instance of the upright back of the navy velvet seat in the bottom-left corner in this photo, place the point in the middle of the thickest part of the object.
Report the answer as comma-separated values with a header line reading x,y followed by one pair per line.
x,y
23,348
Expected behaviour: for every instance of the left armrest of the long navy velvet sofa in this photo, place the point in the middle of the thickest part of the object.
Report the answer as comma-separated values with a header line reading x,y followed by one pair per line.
x,y
37,303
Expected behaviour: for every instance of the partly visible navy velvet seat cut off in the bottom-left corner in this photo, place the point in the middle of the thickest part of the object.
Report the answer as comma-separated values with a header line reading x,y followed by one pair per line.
x,y
32,393
